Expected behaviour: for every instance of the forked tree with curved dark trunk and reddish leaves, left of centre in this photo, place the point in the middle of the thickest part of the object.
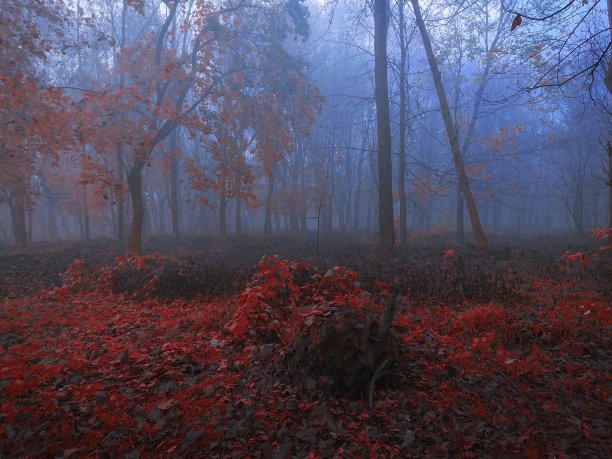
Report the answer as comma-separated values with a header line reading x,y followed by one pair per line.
x,y
169,87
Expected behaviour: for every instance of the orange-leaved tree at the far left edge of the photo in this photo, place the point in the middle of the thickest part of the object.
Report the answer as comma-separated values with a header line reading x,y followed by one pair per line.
x,y
33,118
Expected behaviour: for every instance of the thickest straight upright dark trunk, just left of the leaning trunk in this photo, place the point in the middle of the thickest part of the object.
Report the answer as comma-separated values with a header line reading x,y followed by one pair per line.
x,y
383,126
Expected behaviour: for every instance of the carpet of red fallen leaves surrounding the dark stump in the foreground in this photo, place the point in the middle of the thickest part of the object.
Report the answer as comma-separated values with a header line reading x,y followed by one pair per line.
x,y
88,372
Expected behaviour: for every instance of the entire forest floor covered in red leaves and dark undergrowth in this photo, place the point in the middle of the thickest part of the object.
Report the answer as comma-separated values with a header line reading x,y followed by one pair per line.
x,y
191,350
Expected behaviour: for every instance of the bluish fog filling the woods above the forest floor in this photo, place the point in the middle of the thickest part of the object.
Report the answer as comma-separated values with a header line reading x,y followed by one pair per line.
x,y
131,119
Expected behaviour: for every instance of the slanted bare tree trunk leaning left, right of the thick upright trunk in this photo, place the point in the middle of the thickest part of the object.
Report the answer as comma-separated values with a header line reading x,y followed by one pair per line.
x,y
451,130
